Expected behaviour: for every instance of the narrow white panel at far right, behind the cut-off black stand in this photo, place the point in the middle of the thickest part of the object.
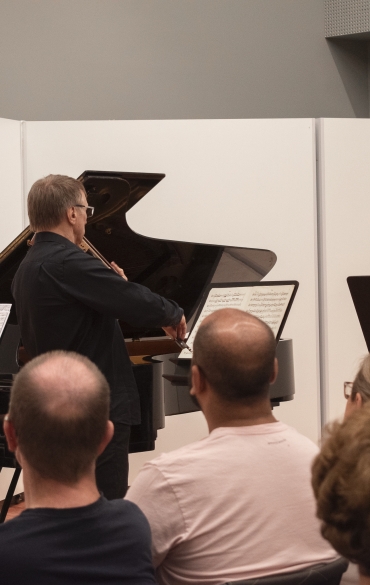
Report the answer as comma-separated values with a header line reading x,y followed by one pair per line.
x,y
345,250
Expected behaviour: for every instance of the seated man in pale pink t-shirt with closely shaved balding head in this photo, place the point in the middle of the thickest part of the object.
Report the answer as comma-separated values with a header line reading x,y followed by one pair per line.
x,y
239,503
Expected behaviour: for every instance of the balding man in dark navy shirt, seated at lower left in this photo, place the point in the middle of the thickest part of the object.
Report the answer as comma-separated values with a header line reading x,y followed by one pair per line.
x,y
57,425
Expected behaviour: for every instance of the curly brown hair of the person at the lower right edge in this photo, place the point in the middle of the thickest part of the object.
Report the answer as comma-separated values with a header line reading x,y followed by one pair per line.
x,y
341,484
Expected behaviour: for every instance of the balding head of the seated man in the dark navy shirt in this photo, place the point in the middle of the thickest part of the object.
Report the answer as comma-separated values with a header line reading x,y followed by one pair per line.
x,y
59,408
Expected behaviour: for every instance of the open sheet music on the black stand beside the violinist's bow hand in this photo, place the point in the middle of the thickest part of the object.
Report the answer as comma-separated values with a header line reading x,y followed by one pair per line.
x,y
269,303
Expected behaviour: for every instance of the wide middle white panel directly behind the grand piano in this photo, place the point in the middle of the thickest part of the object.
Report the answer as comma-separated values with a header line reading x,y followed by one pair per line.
x,y
248,183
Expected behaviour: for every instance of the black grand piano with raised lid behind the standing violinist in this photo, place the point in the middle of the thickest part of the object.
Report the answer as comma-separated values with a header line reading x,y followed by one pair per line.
x,y
176,270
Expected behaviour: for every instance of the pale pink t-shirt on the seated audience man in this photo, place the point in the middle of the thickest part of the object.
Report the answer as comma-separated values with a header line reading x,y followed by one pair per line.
x,y
236,505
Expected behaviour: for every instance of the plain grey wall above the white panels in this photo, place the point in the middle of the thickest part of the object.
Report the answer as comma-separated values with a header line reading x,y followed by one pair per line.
x,y
127,59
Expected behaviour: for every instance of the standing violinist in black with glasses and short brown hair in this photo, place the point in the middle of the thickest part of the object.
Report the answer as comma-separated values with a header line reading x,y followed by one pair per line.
x,y
68,300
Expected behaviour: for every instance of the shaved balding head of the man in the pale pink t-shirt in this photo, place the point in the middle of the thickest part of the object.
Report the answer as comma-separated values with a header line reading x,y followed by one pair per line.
x,y
236,353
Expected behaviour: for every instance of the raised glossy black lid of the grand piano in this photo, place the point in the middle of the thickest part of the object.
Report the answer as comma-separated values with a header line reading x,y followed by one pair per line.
x,y
175,270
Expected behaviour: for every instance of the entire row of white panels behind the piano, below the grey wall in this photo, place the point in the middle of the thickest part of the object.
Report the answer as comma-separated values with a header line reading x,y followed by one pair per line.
x,y
235,182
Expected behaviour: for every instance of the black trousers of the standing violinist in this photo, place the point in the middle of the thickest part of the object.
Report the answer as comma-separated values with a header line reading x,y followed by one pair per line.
x,y
112,465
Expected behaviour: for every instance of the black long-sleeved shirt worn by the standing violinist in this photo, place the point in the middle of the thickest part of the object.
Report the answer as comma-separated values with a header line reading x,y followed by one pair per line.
x,y
68,300
